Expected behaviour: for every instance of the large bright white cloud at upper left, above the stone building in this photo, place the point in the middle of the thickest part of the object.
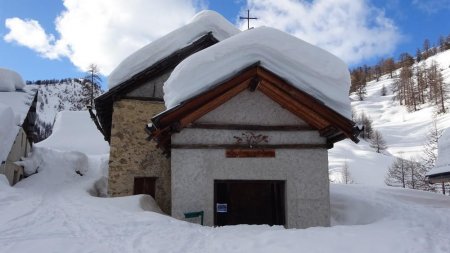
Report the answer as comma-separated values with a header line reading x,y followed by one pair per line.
x,y
103,32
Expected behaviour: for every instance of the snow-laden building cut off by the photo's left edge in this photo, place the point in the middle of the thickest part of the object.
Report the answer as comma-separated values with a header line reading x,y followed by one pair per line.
x,y
17,118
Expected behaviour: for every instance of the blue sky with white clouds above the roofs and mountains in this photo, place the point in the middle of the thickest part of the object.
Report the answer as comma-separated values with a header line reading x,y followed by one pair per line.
x,y
359,31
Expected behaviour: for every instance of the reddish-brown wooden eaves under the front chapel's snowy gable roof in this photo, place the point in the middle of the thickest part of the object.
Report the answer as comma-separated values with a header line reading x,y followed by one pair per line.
x,y
330,124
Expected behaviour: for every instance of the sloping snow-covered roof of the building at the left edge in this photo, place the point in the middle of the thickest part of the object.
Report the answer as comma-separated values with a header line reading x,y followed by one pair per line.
x,y
14,107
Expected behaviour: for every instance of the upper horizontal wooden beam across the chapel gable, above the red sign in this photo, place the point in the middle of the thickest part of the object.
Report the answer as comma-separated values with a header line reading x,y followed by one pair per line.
x,y
250,127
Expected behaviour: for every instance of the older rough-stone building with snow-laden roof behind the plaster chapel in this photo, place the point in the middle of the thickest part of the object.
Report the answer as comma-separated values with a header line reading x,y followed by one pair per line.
x,y
136,94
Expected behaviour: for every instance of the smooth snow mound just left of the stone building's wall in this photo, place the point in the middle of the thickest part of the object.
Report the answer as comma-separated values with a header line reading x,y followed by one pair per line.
x,y
75,131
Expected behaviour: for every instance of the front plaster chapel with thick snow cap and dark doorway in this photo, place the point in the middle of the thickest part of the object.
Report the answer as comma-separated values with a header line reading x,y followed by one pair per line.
x,y
247,128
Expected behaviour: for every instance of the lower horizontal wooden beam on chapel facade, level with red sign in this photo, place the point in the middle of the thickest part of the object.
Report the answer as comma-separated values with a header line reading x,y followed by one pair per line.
x,y
235,146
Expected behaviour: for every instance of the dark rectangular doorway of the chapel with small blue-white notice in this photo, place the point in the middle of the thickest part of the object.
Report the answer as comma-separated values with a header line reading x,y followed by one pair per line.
x,y
249,202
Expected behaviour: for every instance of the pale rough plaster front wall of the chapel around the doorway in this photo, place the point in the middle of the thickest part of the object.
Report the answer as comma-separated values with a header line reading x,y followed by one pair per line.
x,y
304,170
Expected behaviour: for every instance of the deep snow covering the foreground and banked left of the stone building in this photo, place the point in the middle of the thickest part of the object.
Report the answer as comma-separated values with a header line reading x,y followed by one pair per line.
x,y
56,210
